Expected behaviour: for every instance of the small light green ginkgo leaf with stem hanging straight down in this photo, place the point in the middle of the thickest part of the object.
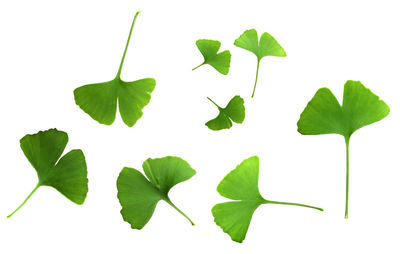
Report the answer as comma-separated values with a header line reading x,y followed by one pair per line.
x,y
267,46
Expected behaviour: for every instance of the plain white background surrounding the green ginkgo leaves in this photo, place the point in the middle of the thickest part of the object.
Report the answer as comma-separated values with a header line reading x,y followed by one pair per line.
x,y
47,49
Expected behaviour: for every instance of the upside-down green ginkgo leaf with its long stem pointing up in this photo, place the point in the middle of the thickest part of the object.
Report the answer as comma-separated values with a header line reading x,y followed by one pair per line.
x,y
100,100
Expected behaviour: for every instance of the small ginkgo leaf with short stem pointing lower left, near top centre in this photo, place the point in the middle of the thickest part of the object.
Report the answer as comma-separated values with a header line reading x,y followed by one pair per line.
x,y
209,49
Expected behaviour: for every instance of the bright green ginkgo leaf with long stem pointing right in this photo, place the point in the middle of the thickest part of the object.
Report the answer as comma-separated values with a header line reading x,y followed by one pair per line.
x,y
241,184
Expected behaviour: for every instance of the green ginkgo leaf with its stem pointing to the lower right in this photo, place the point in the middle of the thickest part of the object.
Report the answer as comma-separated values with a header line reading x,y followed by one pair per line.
x,y
139,196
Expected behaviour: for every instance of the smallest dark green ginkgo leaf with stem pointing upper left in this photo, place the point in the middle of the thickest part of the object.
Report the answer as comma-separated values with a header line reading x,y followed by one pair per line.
x,y
234,111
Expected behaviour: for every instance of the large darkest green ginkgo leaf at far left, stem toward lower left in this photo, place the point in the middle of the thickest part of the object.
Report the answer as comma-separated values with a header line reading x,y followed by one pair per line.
x,y
68,175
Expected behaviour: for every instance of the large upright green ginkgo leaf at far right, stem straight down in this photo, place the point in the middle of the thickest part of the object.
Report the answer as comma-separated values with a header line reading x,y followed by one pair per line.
x,y
324,115
